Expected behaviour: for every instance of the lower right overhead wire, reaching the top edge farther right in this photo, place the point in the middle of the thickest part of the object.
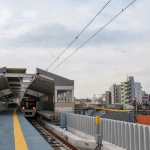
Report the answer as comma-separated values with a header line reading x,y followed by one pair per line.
x,y
95,34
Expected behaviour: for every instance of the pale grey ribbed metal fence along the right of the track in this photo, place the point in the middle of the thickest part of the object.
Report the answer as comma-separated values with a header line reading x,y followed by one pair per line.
x,y
129,136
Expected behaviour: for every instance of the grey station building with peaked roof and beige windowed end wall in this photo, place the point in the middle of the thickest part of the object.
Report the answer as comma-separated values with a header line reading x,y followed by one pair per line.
x,y
52,92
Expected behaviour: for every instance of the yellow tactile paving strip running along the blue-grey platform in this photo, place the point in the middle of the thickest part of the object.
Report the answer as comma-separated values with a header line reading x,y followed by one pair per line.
x,y
20,143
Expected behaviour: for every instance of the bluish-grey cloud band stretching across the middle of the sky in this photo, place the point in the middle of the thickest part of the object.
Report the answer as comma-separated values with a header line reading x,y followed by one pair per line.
x,y
56,35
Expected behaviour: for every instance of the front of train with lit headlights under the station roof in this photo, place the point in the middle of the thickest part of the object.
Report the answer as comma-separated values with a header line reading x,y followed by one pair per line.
x,y
28,107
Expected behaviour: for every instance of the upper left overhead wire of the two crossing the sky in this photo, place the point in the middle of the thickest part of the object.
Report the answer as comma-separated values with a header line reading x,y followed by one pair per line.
x,y
78,35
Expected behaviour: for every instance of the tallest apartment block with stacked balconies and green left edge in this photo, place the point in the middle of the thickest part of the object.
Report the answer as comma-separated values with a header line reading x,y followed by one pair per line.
x,y
127,90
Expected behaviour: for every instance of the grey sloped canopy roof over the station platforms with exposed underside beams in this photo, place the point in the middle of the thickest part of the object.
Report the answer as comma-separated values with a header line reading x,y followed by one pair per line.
x,y
16,83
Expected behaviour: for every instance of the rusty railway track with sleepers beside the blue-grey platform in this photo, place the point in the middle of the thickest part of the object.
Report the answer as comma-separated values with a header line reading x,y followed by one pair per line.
x,y
57,142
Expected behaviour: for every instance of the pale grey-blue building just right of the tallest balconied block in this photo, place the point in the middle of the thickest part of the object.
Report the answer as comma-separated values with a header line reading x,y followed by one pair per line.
x,y
138,92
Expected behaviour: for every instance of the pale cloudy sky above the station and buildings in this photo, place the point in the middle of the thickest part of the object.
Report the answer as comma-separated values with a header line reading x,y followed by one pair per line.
x,y
34,33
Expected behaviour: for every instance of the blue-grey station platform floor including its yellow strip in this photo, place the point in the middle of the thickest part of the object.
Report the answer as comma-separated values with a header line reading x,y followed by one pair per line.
x,y
11,127
